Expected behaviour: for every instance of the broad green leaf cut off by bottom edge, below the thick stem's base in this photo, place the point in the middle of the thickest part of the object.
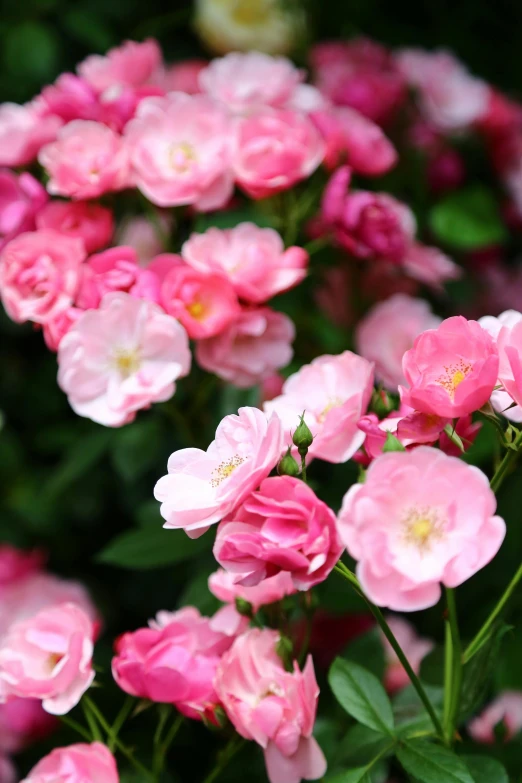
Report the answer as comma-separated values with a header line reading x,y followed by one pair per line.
x,y
430,763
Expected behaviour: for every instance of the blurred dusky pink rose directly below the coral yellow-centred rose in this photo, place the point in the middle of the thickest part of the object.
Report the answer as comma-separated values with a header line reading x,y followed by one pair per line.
x,y
252,348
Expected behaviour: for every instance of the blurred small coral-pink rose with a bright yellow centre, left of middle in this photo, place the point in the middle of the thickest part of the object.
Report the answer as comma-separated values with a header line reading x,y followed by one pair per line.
x,y
204,304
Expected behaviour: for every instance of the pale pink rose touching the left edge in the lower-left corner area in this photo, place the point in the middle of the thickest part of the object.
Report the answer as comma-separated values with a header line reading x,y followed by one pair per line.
x,y
49,657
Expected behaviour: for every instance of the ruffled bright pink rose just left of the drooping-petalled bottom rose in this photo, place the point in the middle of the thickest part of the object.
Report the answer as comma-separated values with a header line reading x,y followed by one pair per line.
x,y
173,662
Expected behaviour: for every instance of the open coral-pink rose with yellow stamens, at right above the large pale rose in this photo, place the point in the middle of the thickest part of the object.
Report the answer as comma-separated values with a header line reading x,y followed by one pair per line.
x,y
451,370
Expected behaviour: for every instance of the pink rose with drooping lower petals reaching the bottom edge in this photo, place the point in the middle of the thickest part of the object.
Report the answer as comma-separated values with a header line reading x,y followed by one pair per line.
x,y
271,706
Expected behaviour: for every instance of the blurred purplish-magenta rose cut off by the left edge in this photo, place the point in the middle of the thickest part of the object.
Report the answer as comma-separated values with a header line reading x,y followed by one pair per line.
x,y
21,198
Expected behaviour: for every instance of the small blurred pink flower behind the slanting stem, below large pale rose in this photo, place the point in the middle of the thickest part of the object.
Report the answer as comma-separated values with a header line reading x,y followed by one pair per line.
x,y
414,647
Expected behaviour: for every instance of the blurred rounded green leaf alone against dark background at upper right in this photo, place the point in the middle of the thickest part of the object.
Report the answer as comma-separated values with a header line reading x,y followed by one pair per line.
x,y
468,219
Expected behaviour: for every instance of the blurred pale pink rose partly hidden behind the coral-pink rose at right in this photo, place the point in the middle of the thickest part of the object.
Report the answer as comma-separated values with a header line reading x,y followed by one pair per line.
x,y
388,330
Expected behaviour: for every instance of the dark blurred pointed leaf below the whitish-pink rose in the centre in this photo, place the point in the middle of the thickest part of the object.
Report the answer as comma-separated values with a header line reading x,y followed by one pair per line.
x,y
152,548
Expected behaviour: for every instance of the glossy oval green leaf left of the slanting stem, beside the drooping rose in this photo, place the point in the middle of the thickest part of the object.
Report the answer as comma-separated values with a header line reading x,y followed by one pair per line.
x,y
361,694
